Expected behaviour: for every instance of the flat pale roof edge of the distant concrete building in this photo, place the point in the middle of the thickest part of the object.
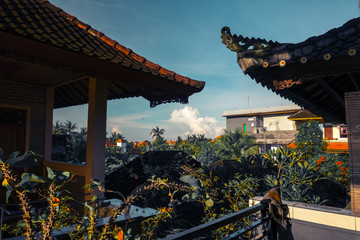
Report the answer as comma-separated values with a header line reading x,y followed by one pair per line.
x,y
265,110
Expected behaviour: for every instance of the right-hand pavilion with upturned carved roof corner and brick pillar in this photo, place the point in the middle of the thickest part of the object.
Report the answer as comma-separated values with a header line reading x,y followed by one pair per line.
x,y
321,74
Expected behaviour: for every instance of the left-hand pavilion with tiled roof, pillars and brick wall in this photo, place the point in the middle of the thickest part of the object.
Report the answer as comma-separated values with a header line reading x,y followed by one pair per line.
x,y
49,59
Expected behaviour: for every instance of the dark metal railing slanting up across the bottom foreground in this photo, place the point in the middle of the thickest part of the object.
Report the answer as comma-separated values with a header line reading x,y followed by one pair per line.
x,y
265,227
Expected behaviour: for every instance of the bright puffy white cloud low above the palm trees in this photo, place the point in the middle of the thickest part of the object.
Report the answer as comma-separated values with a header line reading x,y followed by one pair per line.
x,y
198,125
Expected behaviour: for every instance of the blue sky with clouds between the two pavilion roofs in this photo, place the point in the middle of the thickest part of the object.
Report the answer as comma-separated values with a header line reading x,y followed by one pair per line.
x,y
184,36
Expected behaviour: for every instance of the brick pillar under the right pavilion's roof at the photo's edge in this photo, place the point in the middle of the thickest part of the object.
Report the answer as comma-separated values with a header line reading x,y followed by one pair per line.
x,y
352,106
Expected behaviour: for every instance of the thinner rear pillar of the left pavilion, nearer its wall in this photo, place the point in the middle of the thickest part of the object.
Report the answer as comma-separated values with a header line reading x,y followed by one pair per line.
x,y
48,123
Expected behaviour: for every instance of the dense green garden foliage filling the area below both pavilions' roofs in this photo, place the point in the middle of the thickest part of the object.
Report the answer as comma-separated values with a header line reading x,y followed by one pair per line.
x,y
221,175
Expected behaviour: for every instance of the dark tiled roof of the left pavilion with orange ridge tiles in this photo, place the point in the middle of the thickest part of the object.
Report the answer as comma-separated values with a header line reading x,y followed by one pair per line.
x,y
41,21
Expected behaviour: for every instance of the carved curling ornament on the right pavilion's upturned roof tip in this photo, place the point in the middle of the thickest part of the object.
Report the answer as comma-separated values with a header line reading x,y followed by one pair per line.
x,y
233,42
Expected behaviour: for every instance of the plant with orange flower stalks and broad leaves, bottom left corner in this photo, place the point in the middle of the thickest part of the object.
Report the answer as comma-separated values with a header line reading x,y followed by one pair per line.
x,y
44,221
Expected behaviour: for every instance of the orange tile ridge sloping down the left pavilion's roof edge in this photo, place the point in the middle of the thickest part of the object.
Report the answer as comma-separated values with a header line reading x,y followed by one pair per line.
x,y
119,47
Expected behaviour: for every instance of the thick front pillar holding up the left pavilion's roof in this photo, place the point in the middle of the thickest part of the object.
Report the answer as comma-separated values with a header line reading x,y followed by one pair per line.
x,y
95,149
